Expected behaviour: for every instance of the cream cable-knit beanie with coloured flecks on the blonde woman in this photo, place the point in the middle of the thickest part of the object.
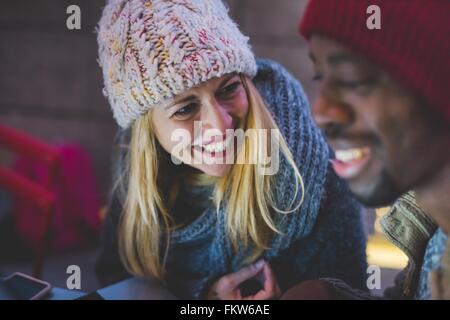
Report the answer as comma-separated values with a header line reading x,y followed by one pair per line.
x,y
152,50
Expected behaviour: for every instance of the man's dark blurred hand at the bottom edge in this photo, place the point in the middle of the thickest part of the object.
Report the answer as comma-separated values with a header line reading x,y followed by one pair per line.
x,y
309,290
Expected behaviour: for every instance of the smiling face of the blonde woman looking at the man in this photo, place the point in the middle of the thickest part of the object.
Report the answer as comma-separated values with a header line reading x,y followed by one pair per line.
x,y
193,126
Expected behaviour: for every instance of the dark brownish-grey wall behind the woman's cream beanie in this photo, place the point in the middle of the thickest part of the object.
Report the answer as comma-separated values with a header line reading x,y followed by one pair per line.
x,y
50,83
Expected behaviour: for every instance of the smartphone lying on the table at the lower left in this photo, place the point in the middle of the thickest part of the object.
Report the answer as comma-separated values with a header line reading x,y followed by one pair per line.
x,y
19,286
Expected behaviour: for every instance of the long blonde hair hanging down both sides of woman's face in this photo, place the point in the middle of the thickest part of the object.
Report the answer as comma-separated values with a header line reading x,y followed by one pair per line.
x,y
246,194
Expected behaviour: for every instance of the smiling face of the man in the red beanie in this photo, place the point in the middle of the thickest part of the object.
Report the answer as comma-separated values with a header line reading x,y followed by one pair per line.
x,y
386,140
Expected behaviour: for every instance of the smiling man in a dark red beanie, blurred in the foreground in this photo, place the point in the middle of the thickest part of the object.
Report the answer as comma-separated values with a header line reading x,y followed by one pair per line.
x,y
384,106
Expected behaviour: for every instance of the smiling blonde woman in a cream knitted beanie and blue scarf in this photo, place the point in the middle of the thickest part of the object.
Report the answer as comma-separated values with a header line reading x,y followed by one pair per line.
x,y
209,213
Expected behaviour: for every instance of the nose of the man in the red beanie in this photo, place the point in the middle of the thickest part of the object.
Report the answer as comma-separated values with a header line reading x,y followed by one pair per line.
x,y
331,116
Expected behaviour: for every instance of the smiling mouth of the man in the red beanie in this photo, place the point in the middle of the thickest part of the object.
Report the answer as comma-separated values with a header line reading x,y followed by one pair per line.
x,y
350,163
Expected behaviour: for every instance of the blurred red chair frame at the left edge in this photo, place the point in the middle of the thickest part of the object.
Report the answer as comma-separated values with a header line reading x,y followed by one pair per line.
x,y
40,196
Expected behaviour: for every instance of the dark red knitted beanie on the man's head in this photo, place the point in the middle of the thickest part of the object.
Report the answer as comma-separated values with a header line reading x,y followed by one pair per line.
x,y
413,45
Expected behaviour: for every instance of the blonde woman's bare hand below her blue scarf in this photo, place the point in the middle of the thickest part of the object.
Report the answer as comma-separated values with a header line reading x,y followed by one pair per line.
x,y
227,287
